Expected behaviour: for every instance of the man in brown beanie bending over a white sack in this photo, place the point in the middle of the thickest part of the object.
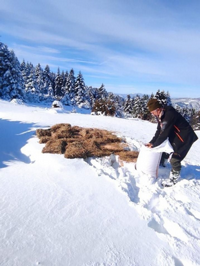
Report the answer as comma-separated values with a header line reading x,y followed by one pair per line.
x,y
181,136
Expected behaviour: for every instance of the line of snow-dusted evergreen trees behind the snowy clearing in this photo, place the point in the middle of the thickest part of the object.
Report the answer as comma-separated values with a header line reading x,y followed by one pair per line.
x,y
34,84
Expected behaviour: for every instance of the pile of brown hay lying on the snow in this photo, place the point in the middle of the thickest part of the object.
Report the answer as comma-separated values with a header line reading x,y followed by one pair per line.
x,y
77,142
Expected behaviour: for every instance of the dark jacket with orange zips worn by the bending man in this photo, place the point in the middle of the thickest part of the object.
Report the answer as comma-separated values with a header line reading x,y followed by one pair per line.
x,y
173,125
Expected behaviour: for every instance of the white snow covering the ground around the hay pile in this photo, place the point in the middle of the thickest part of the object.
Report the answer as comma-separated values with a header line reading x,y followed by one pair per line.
x,y
94,212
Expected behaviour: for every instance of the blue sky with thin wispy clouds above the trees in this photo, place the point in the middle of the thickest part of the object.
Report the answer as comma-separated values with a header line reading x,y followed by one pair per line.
x,y
131,46
